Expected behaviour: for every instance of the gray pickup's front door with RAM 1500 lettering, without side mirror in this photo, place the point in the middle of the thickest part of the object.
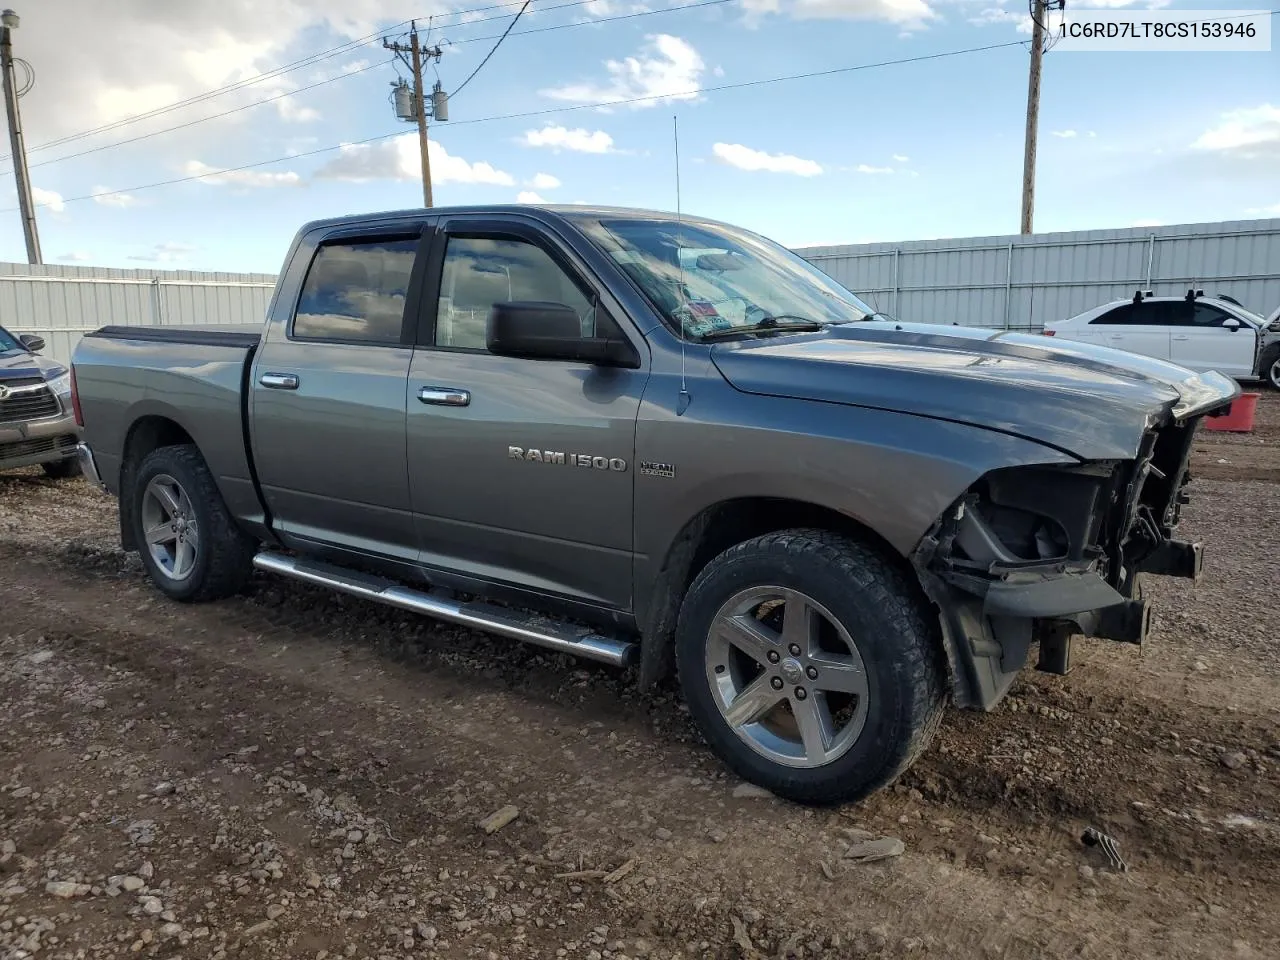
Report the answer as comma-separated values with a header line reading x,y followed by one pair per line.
x,y
520,470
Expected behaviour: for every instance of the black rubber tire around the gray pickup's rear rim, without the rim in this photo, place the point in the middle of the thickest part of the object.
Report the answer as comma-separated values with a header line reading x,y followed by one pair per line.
x,y
223,552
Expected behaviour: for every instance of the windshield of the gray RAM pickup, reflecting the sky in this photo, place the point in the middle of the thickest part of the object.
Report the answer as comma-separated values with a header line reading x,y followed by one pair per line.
x,y
711,281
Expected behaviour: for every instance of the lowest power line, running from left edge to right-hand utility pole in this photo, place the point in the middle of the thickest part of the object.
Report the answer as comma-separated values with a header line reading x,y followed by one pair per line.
x,y
697,92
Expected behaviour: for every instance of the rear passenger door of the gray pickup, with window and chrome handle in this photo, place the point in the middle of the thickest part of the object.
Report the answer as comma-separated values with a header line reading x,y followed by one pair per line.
x,y
328,395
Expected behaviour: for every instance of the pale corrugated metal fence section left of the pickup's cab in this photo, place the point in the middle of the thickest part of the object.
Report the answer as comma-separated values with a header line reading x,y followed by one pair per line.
x,y
62,304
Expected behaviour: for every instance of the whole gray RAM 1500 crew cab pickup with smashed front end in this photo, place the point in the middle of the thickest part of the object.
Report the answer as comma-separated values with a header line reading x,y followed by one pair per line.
x,y
630,436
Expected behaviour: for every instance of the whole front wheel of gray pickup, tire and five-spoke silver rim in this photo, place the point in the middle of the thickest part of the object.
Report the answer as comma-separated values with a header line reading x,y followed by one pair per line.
x,y
810,666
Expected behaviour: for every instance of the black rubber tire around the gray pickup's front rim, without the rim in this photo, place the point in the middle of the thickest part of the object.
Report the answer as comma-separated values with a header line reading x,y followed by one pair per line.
x,y
890,624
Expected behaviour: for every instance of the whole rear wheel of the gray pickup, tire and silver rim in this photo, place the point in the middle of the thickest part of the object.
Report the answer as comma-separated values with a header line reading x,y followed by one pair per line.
x,y
189,542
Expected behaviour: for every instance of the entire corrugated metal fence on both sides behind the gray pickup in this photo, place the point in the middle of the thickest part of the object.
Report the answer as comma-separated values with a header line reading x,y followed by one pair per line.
x,y
1003,282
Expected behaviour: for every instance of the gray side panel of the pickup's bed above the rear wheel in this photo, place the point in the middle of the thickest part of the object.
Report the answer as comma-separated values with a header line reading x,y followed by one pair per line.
x,y
180,381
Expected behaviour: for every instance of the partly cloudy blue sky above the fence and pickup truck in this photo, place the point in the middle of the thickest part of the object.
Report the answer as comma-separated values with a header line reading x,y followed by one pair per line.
x,y
907,132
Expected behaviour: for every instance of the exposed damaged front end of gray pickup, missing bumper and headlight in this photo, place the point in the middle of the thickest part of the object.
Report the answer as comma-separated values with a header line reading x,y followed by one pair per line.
x,y
1043,554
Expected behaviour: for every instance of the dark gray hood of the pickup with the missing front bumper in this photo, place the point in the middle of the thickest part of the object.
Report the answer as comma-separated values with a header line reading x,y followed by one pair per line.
x,y
1092,403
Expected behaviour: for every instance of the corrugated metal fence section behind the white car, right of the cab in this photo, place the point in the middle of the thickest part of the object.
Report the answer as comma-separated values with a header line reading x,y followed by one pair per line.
x,y
1025,282
